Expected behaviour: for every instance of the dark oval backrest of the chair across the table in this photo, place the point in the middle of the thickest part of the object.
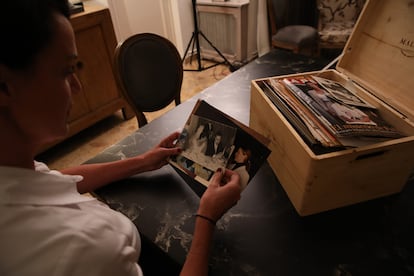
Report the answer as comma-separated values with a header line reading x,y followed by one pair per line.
x,y
149,71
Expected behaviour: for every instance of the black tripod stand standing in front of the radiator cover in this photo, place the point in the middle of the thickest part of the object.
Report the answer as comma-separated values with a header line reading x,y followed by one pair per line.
x,y
195,42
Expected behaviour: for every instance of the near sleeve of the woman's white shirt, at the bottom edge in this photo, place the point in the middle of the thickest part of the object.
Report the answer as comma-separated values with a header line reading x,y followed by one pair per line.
x,y
102,251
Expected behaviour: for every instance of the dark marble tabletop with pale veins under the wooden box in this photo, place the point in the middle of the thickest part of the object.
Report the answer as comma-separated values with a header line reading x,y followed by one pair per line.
x,y
262,234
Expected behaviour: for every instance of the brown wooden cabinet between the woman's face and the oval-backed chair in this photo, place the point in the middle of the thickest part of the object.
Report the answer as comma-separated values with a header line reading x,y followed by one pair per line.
x,y
96,42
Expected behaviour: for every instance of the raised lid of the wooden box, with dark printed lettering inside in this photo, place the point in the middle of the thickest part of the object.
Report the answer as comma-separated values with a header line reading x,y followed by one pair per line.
x,y
379,55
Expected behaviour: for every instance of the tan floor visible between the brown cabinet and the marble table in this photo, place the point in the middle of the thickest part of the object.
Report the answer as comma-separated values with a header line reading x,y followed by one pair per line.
x,y
88,143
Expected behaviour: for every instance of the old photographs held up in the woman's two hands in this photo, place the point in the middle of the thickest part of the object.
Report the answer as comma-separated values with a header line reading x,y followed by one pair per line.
x,y
211,140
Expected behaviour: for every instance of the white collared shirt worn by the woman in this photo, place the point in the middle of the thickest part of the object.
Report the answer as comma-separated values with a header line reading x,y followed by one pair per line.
x,y
48,228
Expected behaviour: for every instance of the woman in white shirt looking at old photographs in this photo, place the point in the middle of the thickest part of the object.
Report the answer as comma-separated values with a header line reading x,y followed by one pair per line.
x,y
47,226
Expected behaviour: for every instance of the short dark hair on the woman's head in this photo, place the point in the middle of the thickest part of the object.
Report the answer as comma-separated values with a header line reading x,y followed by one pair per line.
x,y
26,28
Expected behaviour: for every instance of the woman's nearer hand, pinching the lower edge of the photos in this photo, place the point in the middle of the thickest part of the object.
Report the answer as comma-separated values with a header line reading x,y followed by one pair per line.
x,y
222,193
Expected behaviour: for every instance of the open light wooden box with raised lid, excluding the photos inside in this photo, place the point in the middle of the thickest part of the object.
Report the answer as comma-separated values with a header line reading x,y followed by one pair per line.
x,y
379,61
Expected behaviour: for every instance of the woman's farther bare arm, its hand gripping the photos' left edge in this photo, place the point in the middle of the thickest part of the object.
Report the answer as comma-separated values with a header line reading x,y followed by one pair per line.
x,y
101,174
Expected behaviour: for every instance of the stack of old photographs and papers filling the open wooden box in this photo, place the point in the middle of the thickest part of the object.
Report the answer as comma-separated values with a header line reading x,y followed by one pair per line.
x,y
326,114
